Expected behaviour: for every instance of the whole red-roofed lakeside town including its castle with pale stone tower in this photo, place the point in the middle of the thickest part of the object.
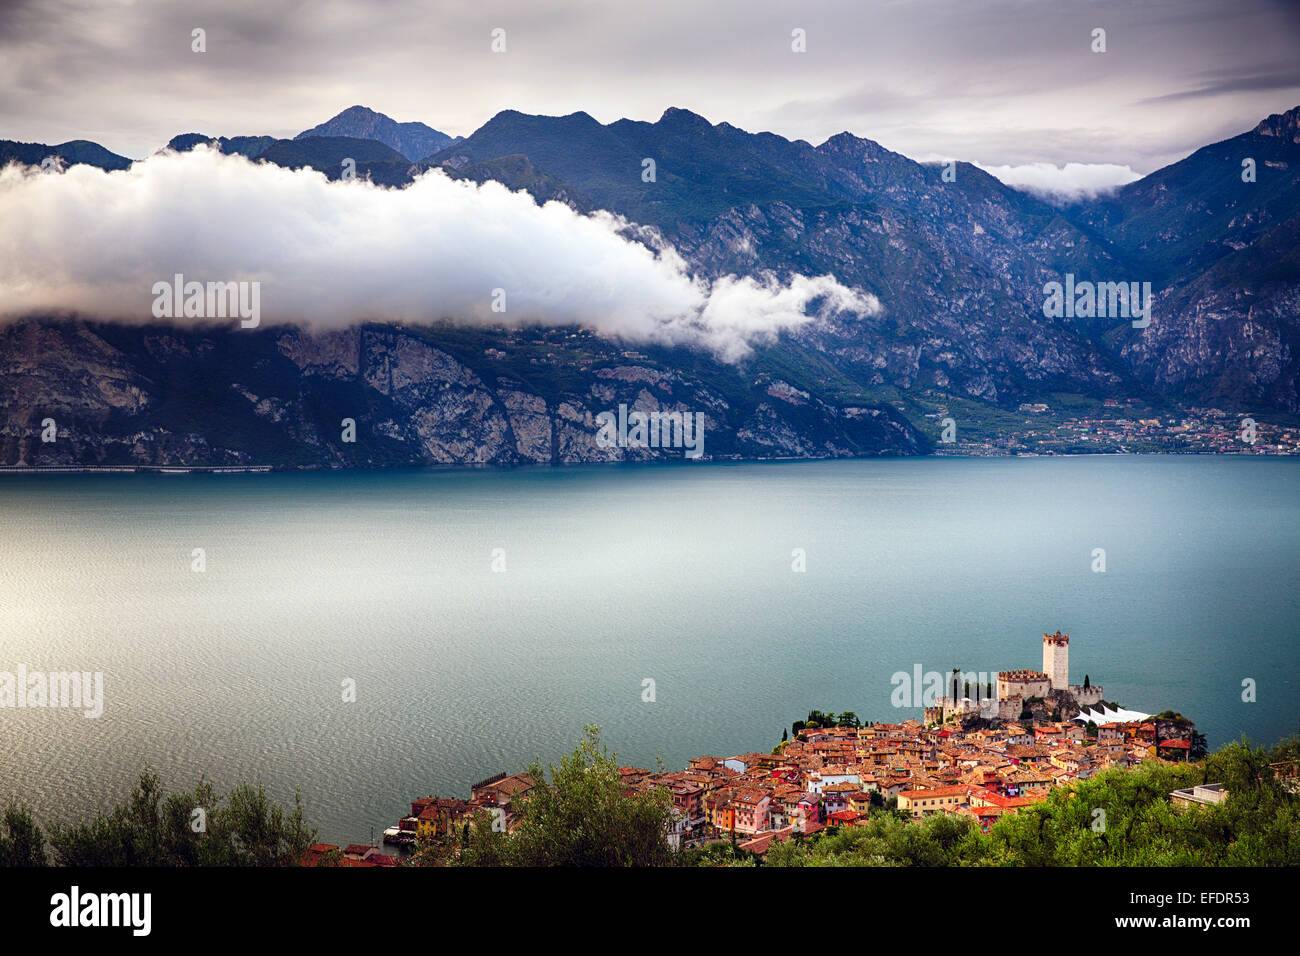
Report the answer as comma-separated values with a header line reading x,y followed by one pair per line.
x,y
972,758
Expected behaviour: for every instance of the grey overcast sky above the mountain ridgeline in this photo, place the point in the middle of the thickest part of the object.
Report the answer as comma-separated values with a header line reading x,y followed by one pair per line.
x,y
998,83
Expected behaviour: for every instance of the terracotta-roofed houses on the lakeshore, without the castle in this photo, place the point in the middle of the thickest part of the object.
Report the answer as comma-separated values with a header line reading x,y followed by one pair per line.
x,y
829,777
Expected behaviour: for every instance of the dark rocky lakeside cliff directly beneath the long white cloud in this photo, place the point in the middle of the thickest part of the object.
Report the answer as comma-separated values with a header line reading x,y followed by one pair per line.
x,y
125,395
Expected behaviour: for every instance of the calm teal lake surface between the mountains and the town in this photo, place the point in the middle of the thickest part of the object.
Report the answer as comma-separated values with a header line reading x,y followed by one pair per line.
x,y
679,574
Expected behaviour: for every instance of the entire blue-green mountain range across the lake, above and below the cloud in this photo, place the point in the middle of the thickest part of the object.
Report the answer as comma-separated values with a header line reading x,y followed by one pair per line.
x,y
957,259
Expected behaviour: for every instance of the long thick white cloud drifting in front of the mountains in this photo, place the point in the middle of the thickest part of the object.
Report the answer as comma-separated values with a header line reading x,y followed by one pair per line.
x,y
328,254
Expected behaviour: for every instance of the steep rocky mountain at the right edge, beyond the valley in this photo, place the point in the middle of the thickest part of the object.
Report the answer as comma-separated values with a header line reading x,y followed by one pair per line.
x,y
1219,233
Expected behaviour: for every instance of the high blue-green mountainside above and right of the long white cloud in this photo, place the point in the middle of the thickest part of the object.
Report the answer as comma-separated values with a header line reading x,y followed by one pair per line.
x,y
961,266
